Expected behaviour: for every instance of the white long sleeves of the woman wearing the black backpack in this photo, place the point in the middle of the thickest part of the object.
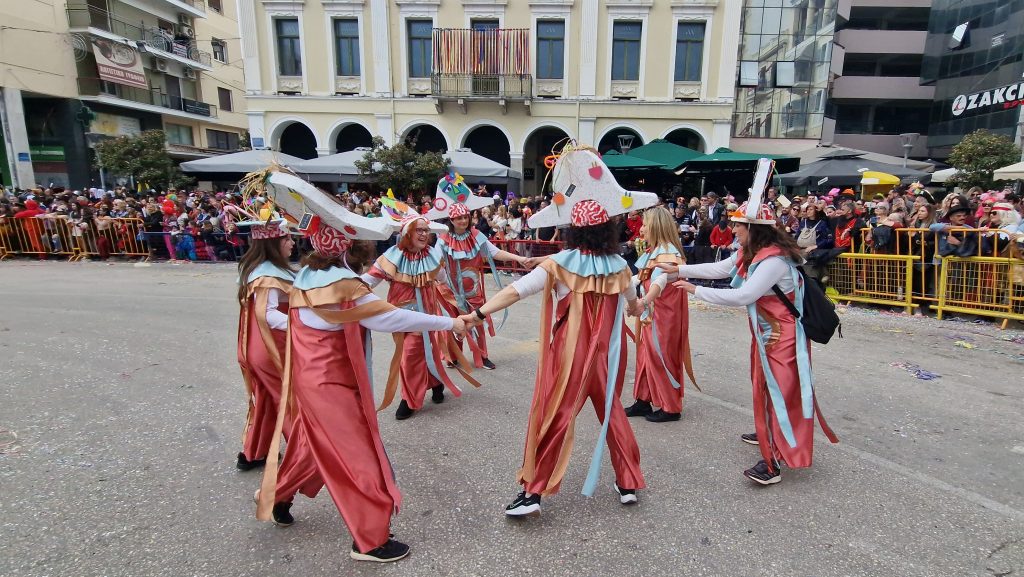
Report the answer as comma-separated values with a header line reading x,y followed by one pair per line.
x,y
770,272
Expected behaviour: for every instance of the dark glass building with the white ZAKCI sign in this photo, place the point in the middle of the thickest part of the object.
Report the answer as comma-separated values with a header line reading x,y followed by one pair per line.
x,y
974,57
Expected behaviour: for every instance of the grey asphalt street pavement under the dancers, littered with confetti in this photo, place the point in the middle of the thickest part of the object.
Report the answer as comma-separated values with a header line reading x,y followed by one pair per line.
x,y
121,409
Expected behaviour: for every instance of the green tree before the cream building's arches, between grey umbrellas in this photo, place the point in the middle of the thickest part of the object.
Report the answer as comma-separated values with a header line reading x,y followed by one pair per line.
x,y
402,169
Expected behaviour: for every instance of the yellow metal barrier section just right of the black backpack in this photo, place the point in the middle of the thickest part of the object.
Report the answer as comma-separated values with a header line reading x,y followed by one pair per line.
x,y
878,279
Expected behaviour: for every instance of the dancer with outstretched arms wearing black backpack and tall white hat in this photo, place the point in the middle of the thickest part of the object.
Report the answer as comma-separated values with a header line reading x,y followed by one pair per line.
x,y
785,405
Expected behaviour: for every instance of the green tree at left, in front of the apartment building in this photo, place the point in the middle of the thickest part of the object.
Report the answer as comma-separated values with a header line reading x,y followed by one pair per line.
x,y
145,157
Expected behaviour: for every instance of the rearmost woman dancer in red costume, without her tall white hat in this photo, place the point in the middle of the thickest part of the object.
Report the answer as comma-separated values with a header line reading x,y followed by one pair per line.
x,y
466,251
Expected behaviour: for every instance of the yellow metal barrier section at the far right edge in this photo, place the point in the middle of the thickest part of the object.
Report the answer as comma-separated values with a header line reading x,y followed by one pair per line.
x,y
983,285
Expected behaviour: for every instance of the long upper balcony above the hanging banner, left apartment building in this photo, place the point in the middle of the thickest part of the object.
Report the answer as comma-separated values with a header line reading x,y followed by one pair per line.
x,y
144,37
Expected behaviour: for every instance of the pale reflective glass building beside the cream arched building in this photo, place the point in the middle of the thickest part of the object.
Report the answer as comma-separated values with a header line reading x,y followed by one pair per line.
x,y
784,70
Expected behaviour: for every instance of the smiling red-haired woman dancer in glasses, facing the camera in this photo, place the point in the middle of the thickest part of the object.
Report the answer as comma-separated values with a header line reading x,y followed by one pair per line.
x,y
417,281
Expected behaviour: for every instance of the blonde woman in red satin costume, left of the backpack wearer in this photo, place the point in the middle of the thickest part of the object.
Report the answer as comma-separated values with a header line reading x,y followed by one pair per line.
x,y
663,332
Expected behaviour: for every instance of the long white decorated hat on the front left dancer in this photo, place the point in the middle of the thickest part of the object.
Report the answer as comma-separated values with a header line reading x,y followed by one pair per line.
x,y
313,208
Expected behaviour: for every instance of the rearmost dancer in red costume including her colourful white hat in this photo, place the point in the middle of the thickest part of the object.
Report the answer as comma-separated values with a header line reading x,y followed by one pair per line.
x,y
466,251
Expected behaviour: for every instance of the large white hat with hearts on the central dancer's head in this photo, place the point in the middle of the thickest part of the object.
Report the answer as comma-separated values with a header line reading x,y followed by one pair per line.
x,y
578,175
